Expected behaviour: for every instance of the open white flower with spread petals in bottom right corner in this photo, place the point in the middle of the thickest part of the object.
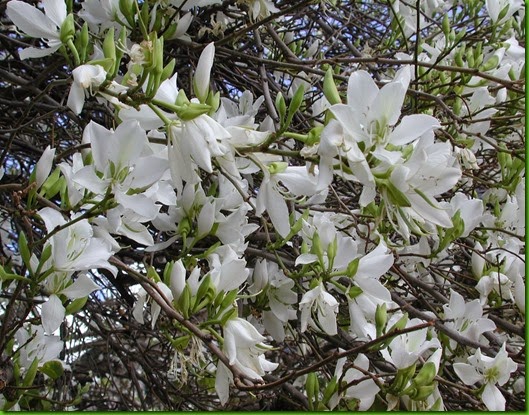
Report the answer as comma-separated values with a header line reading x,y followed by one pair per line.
x,y
490,371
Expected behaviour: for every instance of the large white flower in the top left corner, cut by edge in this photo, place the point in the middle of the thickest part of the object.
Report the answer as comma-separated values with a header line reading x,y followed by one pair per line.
x,y
36,24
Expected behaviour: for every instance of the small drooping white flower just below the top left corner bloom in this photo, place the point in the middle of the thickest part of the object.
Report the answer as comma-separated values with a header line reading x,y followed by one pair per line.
x,y
85,79
